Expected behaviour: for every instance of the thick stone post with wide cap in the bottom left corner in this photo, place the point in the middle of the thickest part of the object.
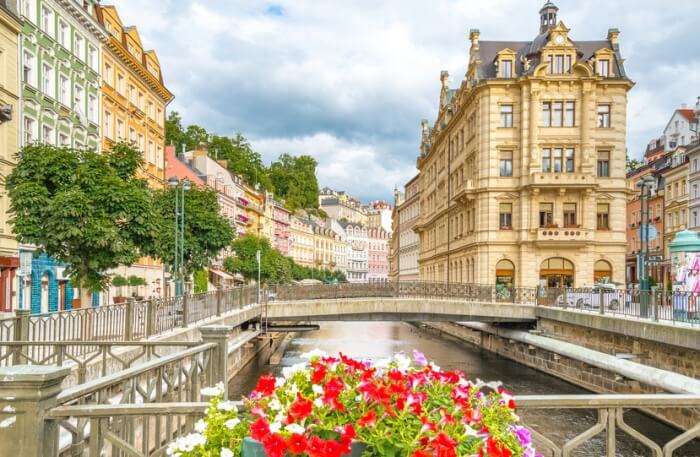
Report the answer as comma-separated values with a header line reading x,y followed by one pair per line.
x,y
27,393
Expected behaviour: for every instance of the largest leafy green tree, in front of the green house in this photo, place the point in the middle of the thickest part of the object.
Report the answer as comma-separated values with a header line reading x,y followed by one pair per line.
x,y
84,209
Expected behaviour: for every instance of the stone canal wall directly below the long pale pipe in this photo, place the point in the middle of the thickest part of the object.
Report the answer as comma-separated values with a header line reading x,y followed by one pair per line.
x,y
566,366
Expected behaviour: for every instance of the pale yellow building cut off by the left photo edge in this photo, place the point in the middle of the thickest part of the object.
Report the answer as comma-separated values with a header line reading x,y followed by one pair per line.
x,y
9,134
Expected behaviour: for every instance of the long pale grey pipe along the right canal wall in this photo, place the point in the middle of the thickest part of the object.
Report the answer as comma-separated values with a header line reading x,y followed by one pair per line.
x,y
666,380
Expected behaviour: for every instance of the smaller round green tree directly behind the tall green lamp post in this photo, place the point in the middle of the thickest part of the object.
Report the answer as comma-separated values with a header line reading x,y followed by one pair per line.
x,y
206,231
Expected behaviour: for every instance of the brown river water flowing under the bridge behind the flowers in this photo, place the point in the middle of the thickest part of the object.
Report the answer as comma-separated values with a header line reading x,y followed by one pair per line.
x,y
383,339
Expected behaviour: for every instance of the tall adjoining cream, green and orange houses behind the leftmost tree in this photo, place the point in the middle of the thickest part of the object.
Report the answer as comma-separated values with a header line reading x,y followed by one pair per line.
x,y
72,74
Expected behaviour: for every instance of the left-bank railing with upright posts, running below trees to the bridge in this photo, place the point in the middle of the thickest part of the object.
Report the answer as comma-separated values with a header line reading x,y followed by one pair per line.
x,y
128,321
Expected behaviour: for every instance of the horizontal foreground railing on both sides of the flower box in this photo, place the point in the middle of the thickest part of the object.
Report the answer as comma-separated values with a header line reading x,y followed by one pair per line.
x,y
141,429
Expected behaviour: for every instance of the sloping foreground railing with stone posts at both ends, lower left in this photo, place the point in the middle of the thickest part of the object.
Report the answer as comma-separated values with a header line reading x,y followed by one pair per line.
x,y
133,411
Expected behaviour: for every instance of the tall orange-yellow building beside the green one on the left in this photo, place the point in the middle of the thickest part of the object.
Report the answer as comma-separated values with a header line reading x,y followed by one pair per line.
x,y
134,95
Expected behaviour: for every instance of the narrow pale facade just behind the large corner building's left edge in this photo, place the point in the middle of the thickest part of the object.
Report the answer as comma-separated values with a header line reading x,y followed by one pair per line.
x,y
407,239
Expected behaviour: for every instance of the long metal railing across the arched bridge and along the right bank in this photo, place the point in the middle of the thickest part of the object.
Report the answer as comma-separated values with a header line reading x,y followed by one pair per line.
x,y
666,307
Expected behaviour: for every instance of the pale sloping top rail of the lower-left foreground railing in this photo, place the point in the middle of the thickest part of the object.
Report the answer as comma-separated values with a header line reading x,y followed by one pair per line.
x,y
90,387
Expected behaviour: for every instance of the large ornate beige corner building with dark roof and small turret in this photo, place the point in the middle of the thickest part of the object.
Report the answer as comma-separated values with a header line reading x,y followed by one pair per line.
x,y
522,177
